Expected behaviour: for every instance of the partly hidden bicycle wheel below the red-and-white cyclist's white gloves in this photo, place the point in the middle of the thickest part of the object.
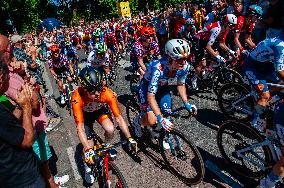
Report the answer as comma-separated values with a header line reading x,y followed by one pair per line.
x,y
222,77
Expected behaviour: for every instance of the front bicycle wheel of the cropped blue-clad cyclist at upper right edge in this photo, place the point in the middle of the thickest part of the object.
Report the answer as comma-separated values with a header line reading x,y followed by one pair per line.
x,y
225,104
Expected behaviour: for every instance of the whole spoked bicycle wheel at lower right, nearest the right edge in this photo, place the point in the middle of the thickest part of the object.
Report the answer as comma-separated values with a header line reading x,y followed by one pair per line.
x,y
232,138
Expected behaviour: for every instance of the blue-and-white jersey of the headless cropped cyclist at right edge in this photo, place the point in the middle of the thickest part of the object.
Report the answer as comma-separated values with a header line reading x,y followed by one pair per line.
x,y
270,50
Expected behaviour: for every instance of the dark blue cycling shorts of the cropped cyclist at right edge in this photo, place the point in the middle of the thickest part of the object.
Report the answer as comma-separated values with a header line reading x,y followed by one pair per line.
x,y
259,73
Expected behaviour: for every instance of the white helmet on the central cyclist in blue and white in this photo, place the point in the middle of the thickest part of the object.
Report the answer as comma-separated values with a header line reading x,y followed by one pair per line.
x,y
177,49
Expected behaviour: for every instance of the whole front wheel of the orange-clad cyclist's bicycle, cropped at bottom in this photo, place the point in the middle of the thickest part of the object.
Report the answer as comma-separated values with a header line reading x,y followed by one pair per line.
x,y
116,179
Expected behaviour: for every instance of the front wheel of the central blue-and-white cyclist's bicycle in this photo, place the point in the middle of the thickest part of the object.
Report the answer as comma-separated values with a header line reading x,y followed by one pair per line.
x,y
182,157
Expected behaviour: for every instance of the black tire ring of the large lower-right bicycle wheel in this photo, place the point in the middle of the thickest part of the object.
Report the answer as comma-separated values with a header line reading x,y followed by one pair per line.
x,y
242,129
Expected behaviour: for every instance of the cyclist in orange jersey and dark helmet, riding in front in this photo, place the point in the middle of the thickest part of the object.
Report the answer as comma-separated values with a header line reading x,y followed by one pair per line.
x,y
91,102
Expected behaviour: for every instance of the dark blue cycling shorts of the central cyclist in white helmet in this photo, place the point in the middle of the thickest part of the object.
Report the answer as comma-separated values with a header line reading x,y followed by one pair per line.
x,y
163,97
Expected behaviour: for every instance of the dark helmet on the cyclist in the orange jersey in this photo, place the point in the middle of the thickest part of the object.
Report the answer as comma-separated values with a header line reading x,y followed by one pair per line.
x,y
91,78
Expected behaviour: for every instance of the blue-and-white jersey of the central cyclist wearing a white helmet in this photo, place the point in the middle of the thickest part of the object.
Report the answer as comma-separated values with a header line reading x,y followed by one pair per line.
x,y
159,74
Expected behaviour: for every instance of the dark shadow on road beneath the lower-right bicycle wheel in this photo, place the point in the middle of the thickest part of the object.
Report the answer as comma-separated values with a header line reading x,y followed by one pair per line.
x,y
217,180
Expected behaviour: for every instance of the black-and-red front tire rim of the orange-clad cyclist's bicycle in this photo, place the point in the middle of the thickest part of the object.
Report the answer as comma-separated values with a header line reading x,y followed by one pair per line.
x,y
115,170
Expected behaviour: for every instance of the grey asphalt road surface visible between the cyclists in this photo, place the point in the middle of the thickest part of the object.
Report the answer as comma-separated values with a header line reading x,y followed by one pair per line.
x,y
201,129
